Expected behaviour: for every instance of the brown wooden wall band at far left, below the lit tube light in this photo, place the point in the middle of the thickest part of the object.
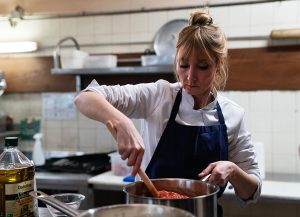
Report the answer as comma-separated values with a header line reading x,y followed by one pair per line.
x,y
32,74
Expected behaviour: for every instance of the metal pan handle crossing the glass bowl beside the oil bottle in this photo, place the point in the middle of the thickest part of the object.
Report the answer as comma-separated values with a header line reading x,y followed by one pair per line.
x,y
64,208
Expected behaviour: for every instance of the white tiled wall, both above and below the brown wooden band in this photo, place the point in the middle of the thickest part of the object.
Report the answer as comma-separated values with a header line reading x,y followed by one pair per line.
x,y
272,116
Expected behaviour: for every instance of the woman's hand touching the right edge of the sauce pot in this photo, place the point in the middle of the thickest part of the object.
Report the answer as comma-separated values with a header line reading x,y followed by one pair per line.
x,y
220,171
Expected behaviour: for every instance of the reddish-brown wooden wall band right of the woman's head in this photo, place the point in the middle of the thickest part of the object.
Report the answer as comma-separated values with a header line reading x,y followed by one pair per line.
x,y
270,68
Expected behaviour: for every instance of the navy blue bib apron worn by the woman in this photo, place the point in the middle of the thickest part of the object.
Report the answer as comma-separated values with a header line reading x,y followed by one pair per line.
x,y
184,151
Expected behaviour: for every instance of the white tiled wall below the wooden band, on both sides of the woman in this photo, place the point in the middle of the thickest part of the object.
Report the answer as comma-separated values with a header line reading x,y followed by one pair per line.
x,y
272,117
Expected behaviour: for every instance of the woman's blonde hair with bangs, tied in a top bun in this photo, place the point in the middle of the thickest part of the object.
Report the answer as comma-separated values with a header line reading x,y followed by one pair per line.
x,y
202,34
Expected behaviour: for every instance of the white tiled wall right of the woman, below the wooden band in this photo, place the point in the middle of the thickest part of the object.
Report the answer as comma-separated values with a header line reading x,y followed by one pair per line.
x,y
272,117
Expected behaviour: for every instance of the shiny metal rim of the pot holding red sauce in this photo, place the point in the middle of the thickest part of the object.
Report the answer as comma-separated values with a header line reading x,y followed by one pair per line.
x,y
215,187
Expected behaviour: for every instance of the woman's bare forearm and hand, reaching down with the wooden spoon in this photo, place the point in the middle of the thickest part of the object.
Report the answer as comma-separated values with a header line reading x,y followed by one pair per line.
x,y
130,143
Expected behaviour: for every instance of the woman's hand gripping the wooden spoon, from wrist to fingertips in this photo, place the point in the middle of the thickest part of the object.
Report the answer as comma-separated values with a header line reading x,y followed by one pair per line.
x,y
130,143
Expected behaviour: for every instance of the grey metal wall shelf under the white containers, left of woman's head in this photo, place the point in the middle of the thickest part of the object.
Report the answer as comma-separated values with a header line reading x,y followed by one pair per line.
x,y
158,69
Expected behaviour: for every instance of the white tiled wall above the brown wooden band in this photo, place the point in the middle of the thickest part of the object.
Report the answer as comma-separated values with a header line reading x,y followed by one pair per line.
x,y
104,33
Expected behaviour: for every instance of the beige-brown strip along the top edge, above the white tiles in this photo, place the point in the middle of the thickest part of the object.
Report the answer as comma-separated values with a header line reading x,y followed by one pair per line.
x,y
42,7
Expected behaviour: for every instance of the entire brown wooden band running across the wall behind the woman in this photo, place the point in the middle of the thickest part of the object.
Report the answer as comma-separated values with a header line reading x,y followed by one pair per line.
x,y
271,68
